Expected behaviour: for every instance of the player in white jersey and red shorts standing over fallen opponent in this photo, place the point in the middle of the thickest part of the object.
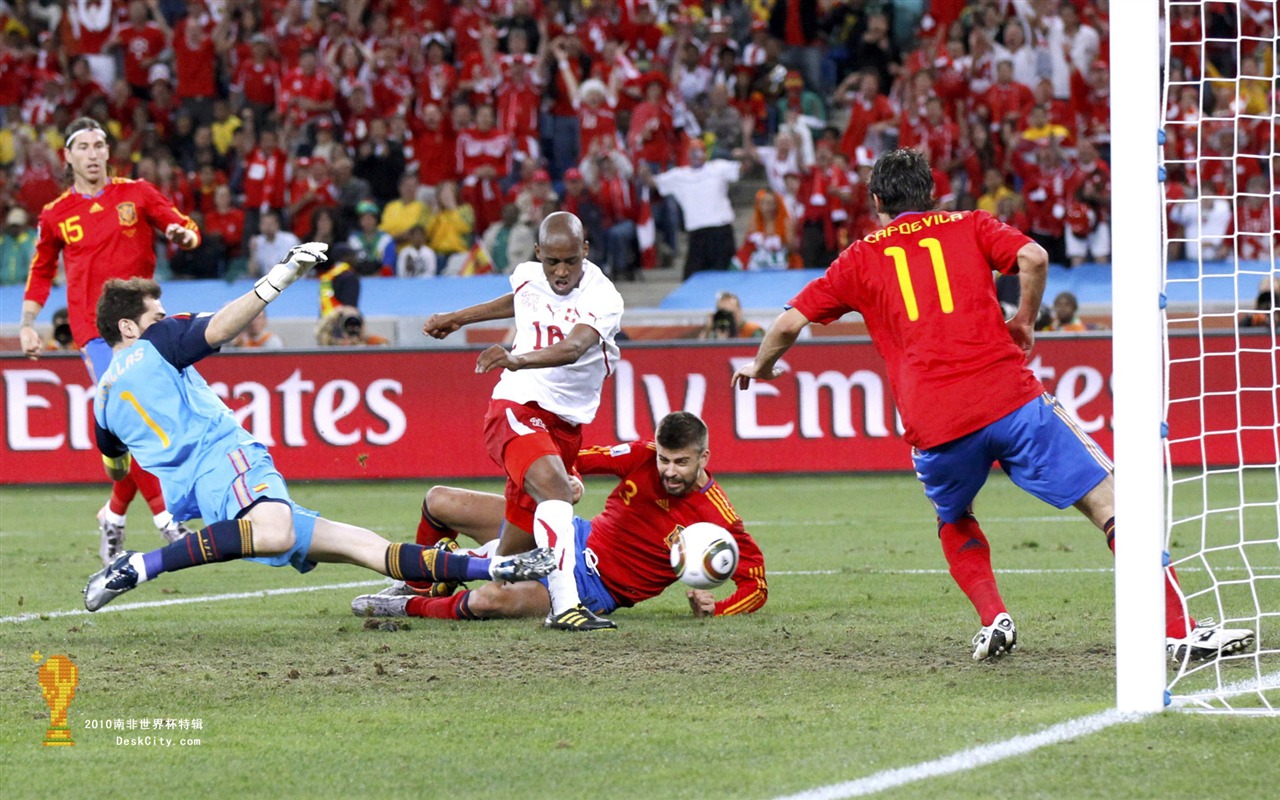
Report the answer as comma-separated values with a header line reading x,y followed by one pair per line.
x,y
568,316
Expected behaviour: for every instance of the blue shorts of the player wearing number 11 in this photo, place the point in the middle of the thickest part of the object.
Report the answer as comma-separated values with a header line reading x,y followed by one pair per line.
x,y
1039,446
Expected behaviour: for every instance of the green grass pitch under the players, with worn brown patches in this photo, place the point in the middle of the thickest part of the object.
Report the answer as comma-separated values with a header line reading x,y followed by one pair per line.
x,y
858,664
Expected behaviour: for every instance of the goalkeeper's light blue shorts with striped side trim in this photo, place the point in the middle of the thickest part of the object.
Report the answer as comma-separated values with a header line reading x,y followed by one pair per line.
x,y
248,477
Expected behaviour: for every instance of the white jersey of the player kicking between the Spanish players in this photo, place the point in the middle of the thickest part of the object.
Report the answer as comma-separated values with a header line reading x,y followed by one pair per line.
x,y
572,392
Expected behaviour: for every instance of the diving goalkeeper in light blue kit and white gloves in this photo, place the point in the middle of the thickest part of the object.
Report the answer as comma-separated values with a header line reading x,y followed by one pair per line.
x,y
154,405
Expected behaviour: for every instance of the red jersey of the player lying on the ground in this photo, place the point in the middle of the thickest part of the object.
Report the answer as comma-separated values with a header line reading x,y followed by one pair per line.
x,y
632,538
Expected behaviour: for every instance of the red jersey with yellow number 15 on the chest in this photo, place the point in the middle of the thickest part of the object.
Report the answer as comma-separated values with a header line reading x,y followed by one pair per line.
x,y
100,237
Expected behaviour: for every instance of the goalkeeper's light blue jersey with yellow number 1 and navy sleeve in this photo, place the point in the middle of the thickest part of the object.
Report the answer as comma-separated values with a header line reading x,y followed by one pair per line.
x,y
154,404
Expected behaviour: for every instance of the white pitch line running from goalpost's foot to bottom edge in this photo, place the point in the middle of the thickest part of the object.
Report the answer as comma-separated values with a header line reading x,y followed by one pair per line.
x,y
968,760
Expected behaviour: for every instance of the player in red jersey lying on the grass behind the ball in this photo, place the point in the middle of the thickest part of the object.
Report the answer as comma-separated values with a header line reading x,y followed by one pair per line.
x,y
664,486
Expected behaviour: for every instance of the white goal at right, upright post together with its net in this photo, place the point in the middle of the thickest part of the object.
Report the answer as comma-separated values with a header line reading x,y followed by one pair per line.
x,y
1196,377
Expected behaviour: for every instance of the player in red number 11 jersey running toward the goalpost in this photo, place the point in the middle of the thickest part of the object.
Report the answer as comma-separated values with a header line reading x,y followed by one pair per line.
x,y
959,373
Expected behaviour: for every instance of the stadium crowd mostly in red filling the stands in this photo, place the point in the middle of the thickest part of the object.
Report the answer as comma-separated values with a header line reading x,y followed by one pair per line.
x,y
433,136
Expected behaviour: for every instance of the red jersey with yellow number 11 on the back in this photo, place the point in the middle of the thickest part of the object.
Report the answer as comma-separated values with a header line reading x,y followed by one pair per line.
x,y
925,290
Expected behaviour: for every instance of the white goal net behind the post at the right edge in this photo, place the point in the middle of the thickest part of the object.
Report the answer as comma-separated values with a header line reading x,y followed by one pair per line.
x,y
1222,414
